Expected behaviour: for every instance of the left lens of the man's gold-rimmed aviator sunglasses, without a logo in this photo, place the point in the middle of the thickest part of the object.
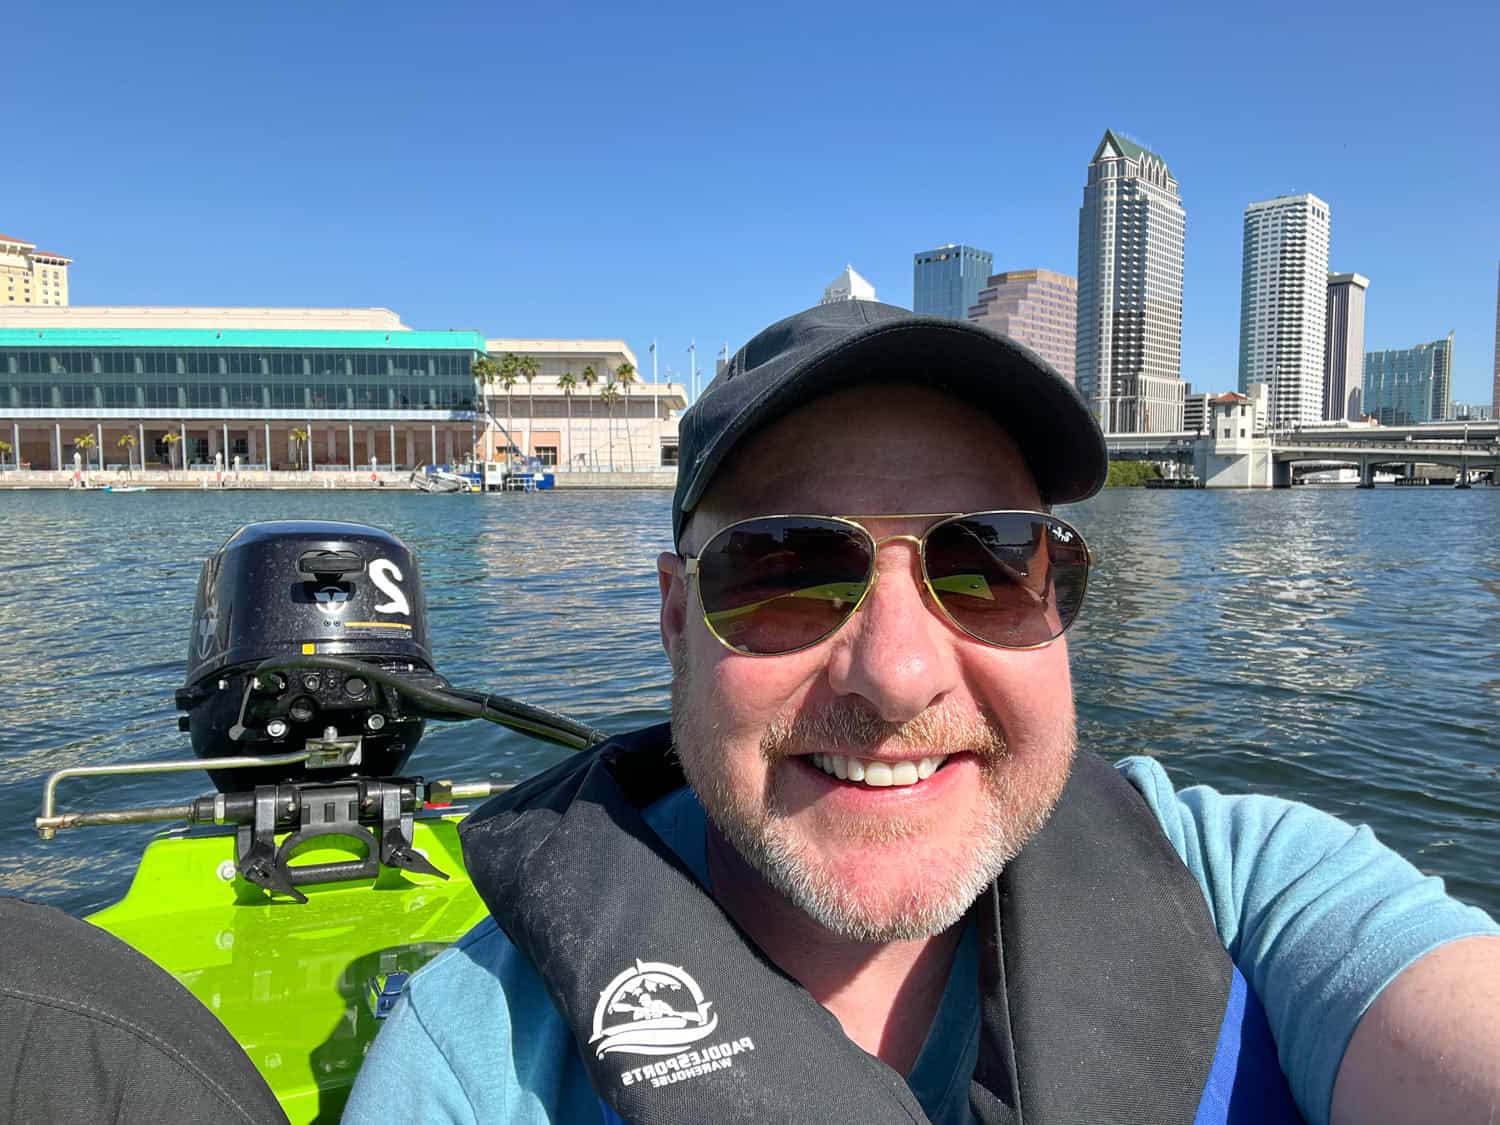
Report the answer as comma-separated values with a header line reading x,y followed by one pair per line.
x,y
781,584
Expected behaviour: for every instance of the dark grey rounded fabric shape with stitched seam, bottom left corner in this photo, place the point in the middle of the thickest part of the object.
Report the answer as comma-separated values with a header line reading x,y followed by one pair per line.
x,y
91,1031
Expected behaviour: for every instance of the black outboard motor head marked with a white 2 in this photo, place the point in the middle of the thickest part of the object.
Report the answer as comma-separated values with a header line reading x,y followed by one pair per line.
x,y
304,590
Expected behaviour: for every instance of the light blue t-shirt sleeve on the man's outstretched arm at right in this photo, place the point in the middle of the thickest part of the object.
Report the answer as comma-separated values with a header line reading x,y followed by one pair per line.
x,y
1318,914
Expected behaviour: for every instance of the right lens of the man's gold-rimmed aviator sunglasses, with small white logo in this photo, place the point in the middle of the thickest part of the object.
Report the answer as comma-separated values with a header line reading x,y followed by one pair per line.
x,y
1010,578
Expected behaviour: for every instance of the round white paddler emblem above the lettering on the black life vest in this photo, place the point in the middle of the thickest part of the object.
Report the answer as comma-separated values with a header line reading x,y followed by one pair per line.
x,y
652,1009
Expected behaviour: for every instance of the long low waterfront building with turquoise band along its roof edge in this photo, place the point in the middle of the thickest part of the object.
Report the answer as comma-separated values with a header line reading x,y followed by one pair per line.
x,y
202,388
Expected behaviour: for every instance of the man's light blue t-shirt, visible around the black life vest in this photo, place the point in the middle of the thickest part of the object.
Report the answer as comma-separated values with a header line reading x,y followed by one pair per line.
x,y
1316,914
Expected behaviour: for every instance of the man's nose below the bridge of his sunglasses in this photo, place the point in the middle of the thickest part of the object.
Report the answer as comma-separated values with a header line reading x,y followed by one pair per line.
x,y
898,655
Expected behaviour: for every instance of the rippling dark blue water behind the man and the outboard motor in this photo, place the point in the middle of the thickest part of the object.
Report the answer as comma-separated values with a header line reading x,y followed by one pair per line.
x,y
1330,646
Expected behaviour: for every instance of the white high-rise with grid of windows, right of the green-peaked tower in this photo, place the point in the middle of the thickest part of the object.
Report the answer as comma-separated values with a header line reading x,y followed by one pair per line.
x,y
1283,305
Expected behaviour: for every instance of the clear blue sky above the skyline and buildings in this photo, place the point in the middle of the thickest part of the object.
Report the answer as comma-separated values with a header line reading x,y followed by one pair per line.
x,y
695,172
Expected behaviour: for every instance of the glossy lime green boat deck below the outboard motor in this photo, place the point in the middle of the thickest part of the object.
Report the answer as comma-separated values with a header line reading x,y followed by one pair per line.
x,y
290,980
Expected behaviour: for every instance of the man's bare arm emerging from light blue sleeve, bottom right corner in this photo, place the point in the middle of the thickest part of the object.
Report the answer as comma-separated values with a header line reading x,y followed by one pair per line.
x,y
1430,1048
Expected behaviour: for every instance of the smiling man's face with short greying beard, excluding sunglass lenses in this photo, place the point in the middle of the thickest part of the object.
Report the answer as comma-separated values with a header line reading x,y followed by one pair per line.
x,y
898,683
